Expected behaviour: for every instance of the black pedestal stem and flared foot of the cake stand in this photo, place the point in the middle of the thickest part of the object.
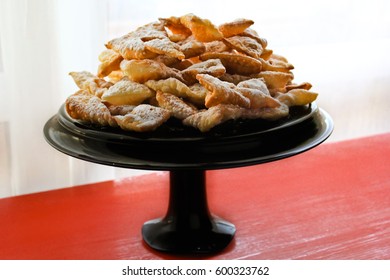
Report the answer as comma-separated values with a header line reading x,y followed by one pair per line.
x,y
188,227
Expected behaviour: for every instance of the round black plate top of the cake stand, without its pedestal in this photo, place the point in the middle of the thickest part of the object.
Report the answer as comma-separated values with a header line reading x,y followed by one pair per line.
x,y
173,146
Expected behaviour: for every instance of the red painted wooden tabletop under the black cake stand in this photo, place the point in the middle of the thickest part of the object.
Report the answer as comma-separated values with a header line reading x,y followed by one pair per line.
x,y
332,202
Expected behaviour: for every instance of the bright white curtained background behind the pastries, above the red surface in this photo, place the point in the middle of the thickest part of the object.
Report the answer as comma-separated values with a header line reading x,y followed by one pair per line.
x,y
341,47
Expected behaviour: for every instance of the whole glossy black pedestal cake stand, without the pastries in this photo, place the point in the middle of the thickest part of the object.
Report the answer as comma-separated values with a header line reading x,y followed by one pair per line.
x,y
188,226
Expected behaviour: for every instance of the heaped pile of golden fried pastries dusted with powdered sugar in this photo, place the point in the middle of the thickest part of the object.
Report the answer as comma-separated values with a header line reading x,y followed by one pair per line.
x,y
190,69
